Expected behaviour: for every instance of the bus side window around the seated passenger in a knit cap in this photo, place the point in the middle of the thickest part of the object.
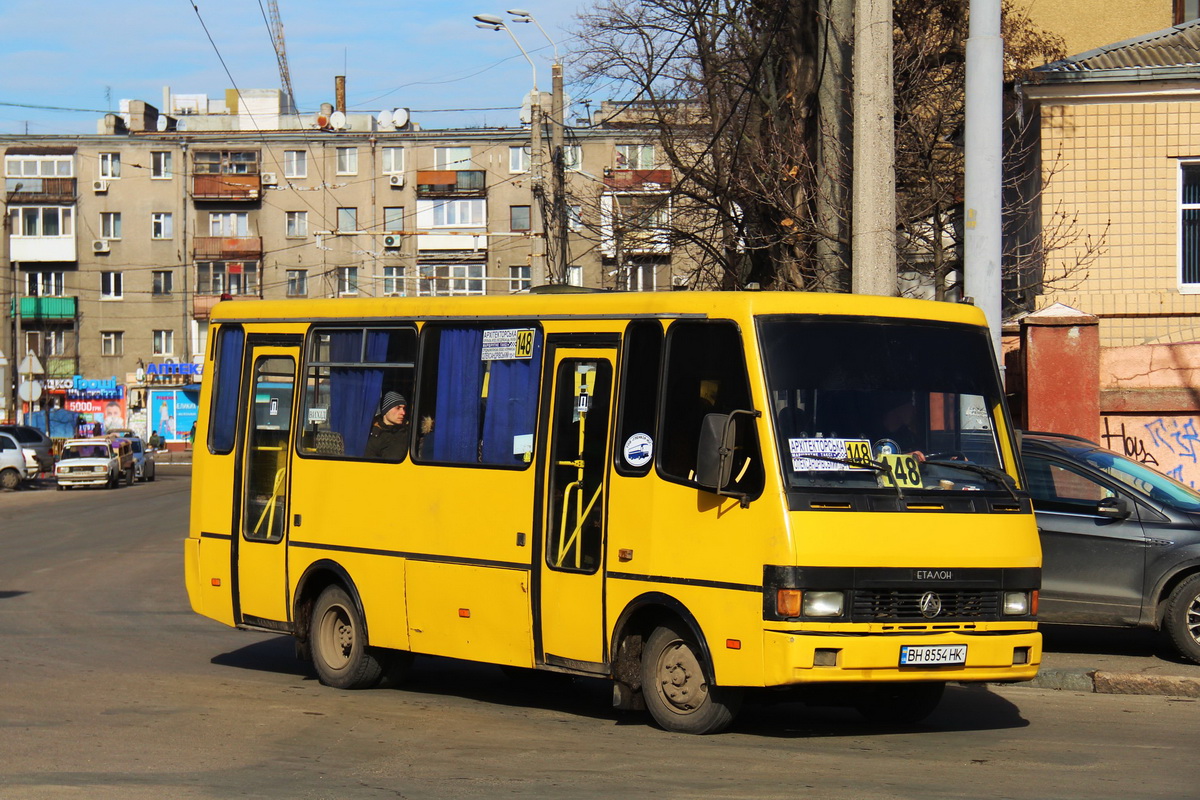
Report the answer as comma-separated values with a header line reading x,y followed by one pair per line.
x,y
350,370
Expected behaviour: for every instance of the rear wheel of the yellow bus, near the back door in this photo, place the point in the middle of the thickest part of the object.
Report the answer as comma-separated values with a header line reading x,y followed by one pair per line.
x,y
340,651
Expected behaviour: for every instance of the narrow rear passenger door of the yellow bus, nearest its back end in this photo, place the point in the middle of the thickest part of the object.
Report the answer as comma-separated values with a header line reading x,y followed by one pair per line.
x,y
262,594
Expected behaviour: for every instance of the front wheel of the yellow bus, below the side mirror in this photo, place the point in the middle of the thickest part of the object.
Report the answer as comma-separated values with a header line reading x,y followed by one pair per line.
x,y
677,693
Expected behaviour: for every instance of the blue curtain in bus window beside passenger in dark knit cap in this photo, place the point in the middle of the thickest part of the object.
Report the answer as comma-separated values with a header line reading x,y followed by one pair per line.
x,y
355,390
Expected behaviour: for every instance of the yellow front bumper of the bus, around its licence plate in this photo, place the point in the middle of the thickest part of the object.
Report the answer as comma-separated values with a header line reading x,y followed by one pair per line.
x,y
800,658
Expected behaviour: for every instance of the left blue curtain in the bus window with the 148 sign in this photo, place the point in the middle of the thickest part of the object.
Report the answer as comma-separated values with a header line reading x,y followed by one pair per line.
x,y
455,437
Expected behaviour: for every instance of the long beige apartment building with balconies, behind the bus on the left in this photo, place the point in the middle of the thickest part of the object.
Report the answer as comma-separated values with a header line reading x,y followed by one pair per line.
x,y
118,245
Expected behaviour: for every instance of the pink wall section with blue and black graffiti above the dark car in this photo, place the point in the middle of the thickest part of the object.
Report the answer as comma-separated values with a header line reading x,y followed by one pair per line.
x,y
1169,444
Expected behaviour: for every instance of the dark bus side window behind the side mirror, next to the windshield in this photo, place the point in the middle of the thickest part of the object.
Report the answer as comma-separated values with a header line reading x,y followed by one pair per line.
x,y
706,375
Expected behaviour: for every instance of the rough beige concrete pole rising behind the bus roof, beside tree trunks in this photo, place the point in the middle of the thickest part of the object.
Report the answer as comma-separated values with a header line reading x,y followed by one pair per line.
x,y
874,199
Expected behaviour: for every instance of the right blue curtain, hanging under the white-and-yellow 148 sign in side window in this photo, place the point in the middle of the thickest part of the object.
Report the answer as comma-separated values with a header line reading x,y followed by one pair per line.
x,y
512,406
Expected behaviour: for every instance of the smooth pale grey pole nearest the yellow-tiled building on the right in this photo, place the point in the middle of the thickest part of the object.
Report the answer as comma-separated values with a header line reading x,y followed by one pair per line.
x,y
985,153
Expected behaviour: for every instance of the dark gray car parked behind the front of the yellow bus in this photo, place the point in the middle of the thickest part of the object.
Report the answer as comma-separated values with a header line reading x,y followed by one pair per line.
x,y
1120,542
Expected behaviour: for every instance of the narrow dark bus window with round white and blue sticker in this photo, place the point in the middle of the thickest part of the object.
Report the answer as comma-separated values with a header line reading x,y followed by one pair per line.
x,y
641,364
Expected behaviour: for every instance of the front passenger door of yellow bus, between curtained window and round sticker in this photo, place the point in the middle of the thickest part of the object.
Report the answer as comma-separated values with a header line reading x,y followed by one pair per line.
x,y
572,630
